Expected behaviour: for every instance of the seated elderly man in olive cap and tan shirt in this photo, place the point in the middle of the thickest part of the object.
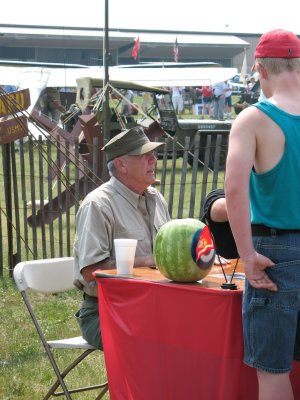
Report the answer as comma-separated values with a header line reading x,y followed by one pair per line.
x,y
124,207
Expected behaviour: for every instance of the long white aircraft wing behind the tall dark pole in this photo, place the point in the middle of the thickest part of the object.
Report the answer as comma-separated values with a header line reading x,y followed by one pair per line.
x,y
160,77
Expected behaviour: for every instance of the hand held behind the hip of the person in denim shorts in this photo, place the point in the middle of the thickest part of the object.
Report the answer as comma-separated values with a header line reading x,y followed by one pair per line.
x,y
254,269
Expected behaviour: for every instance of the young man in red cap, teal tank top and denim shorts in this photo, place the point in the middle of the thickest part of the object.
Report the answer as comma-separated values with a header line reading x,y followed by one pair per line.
x,y
262,190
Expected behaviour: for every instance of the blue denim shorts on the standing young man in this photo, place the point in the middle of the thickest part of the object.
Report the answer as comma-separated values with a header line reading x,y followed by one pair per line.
x,y
270,319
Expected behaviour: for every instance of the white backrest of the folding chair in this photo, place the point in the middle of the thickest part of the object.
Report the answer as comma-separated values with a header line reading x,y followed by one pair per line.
x,y
51,275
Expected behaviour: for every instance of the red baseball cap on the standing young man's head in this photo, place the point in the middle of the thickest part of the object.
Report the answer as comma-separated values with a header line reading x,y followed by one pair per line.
x,y
278,44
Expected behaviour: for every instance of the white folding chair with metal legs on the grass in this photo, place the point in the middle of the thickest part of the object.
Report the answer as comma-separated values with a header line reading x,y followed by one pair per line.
x,y
53,276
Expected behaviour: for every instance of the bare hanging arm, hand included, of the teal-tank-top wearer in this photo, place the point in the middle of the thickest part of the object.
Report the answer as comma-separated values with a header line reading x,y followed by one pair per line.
x,y
241,158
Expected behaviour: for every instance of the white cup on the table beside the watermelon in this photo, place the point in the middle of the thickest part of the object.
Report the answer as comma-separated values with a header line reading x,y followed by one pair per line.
x,y
125,253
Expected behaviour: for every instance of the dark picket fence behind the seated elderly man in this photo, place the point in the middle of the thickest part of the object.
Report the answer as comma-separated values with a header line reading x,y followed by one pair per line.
x,y
41,188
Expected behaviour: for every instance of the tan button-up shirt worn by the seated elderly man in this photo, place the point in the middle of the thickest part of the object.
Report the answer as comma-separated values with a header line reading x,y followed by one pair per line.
x,y
113,211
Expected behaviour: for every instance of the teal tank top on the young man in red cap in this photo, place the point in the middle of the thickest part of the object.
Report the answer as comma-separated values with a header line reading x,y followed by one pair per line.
x,y
275,194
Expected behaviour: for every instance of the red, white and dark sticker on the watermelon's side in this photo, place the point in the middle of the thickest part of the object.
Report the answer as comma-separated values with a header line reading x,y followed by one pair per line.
x,y
205,249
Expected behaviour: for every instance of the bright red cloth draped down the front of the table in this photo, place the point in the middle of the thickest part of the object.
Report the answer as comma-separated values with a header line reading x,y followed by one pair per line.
x,y
173,341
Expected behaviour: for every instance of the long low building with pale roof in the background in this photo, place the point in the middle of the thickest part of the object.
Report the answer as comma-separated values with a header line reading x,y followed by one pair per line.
x,y
84,46
